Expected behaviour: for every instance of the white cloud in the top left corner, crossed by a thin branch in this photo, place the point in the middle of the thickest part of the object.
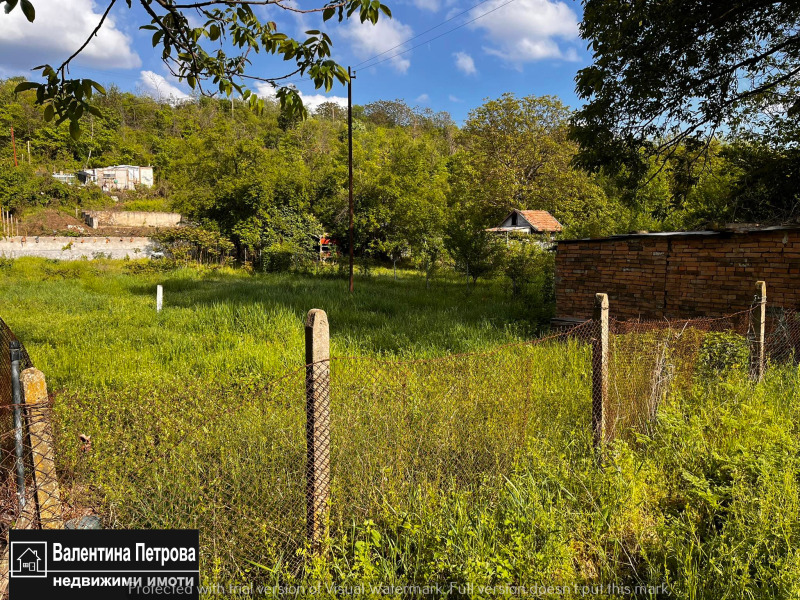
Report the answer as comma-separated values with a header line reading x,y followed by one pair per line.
x,y
59,30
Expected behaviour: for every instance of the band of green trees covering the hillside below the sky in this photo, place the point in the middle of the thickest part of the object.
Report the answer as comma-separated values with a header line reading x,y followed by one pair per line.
x,y
424,187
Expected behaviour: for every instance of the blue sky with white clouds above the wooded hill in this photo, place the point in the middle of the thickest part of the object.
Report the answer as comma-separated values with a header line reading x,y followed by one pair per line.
x,y
480,49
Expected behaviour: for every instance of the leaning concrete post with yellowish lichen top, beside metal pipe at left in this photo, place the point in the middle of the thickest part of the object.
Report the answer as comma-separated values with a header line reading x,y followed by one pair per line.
x,y
48,496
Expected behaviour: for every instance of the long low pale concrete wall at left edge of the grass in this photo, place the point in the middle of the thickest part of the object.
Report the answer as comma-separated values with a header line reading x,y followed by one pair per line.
x,y
74,248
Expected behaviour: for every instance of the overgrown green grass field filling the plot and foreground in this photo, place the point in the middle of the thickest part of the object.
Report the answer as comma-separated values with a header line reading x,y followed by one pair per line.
x,y
448,471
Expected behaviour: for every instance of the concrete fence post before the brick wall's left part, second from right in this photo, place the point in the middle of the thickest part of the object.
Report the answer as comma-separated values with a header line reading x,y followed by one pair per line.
x,y
602,417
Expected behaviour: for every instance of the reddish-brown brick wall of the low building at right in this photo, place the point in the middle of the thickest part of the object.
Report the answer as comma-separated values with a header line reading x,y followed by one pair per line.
x,y
677,275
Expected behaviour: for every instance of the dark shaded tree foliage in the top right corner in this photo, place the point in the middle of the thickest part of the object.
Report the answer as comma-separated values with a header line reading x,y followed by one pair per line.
x,y
671,74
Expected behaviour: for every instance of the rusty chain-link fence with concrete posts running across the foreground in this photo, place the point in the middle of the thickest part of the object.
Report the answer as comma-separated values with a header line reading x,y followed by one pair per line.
x,y
347,440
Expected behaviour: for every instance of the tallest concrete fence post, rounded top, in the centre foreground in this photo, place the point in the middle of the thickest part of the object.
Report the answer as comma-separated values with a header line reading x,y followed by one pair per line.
x,y
318,435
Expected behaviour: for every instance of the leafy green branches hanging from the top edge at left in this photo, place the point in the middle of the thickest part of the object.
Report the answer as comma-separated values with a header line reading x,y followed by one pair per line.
x,y
187,51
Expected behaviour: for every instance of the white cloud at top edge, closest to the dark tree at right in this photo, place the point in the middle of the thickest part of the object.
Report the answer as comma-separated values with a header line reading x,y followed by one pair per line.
x,y
529,30
